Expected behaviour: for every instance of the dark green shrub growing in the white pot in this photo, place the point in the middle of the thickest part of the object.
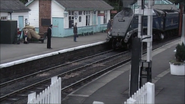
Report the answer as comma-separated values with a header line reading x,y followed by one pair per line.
x,y
180,53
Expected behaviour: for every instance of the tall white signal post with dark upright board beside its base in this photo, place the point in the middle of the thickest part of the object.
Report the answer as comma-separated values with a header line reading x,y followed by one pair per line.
x,y
142,69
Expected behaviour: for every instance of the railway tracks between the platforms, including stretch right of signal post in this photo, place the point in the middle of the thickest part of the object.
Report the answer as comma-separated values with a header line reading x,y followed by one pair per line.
x,y
73,74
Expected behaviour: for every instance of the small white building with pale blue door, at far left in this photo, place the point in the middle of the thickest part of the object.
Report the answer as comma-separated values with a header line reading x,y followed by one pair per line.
x,y
14,10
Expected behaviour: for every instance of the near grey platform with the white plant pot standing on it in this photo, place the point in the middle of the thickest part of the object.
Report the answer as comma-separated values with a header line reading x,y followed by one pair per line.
x,y
113,87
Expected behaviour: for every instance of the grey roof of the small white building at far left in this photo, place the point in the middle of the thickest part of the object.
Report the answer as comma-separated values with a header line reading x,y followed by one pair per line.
x,y
12,6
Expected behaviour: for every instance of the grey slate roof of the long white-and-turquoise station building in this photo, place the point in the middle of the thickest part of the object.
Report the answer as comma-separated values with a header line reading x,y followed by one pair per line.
x,y
85,4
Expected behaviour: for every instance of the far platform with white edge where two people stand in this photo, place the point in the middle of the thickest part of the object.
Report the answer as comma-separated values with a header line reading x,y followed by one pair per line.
x,y
13,52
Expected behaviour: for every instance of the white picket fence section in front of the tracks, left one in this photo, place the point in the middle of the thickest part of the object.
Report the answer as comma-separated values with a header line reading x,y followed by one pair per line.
x,y
51,95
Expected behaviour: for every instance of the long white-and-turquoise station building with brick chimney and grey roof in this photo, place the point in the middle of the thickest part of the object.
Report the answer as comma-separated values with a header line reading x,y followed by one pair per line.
x,y
90,15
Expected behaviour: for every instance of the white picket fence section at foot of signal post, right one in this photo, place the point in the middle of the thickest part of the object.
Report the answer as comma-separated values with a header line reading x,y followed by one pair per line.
x,y
145,95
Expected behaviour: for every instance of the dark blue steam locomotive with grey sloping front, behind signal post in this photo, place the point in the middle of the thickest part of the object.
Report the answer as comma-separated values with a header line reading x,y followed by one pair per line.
x,y
125,26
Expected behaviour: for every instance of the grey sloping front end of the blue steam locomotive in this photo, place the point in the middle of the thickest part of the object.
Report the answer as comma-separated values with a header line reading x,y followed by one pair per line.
x,y
120,26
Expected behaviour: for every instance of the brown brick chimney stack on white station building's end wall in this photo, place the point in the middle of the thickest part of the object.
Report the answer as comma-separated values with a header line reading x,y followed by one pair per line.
x,y
44,13
